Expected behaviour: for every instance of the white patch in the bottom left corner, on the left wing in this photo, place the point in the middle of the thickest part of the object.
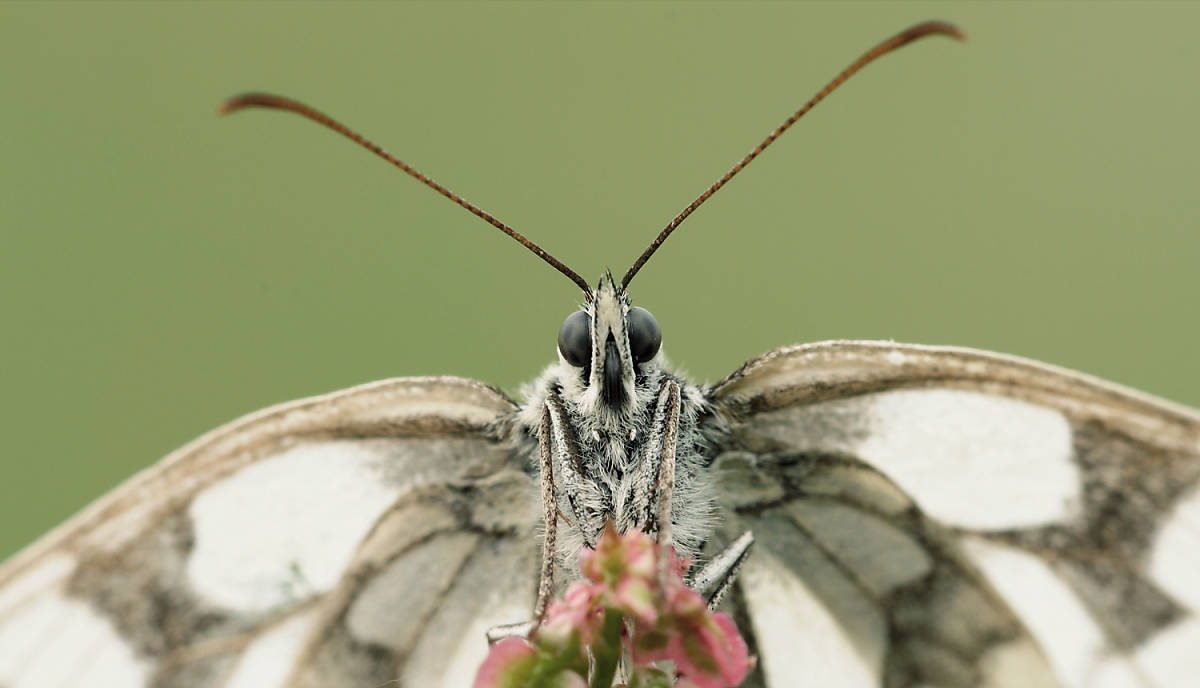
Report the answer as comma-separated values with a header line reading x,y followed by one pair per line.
x,y
56,642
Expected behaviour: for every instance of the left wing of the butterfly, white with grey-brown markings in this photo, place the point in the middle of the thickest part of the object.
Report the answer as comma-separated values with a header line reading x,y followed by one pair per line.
x,y
349,540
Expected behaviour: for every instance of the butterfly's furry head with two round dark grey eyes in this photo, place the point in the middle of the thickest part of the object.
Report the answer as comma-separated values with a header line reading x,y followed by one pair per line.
x,y
608,346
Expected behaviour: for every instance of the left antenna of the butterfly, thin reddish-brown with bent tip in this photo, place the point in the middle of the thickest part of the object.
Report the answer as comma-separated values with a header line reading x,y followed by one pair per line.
x,y
283,104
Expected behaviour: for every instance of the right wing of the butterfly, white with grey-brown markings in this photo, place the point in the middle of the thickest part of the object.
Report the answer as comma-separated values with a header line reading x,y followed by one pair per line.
x,y
945,517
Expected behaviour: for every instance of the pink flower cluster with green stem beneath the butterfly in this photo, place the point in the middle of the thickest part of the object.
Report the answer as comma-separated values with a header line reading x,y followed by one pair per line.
x,y
632,603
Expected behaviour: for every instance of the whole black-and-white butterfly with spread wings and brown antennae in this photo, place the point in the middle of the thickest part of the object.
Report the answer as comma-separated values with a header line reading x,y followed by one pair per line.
x,y
871,513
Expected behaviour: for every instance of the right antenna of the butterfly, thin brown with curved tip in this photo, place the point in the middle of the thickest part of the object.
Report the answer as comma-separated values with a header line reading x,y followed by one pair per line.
x,y
899,40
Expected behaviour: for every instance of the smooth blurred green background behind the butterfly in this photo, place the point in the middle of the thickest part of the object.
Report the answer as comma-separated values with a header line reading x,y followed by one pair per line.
x,y
164,271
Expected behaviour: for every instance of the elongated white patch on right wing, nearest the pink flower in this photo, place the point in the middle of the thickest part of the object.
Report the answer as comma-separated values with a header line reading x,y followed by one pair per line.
x,y
797,636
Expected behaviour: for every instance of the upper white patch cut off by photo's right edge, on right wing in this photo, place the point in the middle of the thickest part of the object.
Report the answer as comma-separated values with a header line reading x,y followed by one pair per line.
x,y
1175,560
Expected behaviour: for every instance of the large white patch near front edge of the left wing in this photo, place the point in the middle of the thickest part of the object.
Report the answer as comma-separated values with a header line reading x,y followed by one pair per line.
x,y
285,529
